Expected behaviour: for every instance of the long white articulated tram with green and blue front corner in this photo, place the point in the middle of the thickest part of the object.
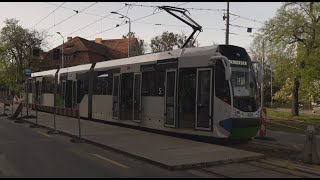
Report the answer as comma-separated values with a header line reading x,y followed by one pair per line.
x,y
208,91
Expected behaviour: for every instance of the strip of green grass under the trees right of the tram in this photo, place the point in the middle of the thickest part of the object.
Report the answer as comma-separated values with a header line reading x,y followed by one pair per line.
x,y
302,116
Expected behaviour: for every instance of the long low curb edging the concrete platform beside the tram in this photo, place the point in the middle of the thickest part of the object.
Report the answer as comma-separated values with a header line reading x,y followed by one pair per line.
x,y
175,167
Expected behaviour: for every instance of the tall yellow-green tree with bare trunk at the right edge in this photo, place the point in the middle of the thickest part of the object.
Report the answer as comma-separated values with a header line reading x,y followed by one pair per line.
x,y
295,30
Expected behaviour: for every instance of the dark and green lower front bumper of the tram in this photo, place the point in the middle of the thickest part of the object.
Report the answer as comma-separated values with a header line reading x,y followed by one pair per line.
x,y
241,128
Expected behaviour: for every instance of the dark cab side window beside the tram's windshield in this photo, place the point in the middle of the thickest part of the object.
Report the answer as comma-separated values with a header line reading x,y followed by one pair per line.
x,y
222,85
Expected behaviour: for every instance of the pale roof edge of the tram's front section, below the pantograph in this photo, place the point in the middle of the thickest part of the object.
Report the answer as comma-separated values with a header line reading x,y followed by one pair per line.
x,y
153,57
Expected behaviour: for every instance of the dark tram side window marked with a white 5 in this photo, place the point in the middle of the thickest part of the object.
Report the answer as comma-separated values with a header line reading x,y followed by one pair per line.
x,y
153,83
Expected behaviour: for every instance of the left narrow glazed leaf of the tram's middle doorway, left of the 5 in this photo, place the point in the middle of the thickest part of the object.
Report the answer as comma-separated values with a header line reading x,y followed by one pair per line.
x,y
115,95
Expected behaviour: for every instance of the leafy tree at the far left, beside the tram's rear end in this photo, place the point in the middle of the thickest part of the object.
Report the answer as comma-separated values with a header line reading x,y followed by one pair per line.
x,y
17,44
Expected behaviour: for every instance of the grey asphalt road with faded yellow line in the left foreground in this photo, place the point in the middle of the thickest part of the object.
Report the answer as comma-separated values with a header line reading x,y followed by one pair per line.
x,y
27,153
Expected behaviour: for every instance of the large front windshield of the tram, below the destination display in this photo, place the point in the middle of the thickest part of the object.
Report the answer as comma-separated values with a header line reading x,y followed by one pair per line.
x,y
245,93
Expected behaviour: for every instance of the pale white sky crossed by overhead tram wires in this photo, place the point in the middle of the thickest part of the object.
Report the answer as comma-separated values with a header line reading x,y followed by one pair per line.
x,y
30,13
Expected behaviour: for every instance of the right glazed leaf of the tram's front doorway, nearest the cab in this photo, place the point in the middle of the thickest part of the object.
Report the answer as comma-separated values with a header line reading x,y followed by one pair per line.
x,y
203,98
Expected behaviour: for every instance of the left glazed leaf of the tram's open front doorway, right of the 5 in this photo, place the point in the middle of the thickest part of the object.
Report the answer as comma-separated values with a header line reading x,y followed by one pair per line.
x,y
170,98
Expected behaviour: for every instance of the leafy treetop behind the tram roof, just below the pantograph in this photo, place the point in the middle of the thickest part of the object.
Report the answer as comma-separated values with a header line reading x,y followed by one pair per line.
x,y
167,41
